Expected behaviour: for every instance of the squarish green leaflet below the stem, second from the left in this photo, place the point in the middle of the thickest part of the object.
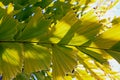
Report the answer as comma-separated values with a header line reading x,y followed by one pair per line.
x,y
36,58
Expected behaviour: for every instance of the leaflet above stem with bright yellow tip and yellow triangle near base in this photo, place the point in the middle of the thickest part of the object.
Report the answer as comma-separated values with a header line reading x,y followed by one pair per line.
x,y
82,31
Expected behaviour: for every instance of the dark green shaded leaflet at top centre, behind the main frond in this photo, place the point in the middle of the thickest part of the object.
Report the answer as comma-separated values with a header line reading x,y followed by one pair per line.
x,y
61,9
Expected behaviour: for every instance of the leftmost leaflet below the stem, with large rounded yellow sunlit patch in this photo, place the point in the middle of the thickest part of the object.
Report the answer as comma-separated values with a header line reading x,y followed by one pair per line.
x,y
10,60
